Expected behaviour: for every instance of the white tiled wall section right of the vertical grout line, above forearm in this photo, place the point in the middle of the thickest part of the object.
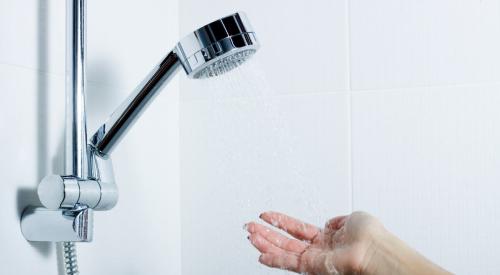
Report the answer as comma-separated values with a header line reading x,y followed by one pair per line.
x,y
425,125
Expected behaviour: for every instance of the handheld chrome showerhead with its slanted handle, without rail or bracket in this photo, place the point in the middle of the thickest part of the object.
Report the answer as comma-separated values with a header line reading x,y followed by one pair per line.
x,y
209,51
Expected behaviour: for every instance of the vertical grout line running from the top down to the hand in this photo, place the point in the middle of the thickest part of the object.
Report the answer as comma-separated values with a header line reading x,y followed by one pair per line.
x,y
349,88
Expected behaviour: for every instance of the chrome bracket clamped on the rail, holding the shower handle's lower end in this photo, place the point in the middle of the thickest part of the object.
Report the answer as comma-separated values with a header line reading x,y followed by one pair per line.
x,y
69,204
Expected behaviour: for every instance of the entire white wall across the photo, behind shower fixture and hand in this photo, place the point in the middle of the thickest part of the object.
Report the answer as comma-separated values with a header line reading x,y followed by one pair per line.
x,y
386,106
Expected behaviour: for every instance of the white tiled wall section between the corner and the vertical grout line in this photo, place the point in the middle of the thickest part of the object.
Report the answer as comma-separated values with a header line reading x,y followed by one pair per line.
x,y
273,135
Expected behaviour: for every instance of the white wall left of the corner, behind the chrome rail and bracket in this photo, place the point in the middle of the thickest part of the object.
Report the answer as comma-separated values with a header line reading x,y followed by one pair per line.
x,y
141,235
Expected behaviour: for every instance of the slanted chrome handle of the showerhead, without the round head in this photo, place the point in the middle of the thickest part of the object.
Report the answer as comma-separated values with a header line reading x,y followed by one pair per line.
x,y
122,119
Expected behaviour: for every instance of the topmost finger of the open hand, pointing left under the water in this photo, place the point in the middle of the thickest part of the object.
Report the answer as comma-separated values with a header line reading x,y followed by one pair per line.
x,y
292,226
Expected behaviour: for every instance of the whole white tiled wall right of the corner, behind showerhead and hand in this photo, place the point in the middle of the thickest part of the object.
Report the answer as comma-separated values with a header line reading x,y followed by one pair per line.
x,y
392,107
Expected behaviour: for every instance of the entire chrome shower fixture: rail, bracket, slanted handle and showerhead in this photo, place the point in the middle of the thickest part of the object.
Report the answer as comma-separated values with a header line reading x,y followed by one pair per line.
x,y
88,183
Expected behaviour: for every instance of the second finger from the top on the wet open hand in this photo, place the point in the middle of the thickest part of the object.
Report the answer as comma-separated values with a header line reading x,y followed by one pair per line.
x,y
277,239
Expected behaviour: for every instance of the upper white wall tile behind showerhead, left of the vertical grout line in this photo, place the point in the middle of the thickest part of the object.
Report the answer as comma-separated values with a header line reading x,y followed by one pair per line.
x,y
304,45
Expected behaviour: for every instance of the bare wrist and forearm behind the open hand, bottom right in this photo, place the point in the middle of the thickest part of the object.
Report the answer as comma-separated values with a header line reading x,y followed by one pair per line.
x,y
389,255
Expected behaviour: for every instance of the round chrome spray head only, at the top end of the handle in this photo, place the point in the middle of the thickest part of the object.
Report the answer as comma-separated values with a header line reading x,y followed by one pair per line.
x,y
218,47
